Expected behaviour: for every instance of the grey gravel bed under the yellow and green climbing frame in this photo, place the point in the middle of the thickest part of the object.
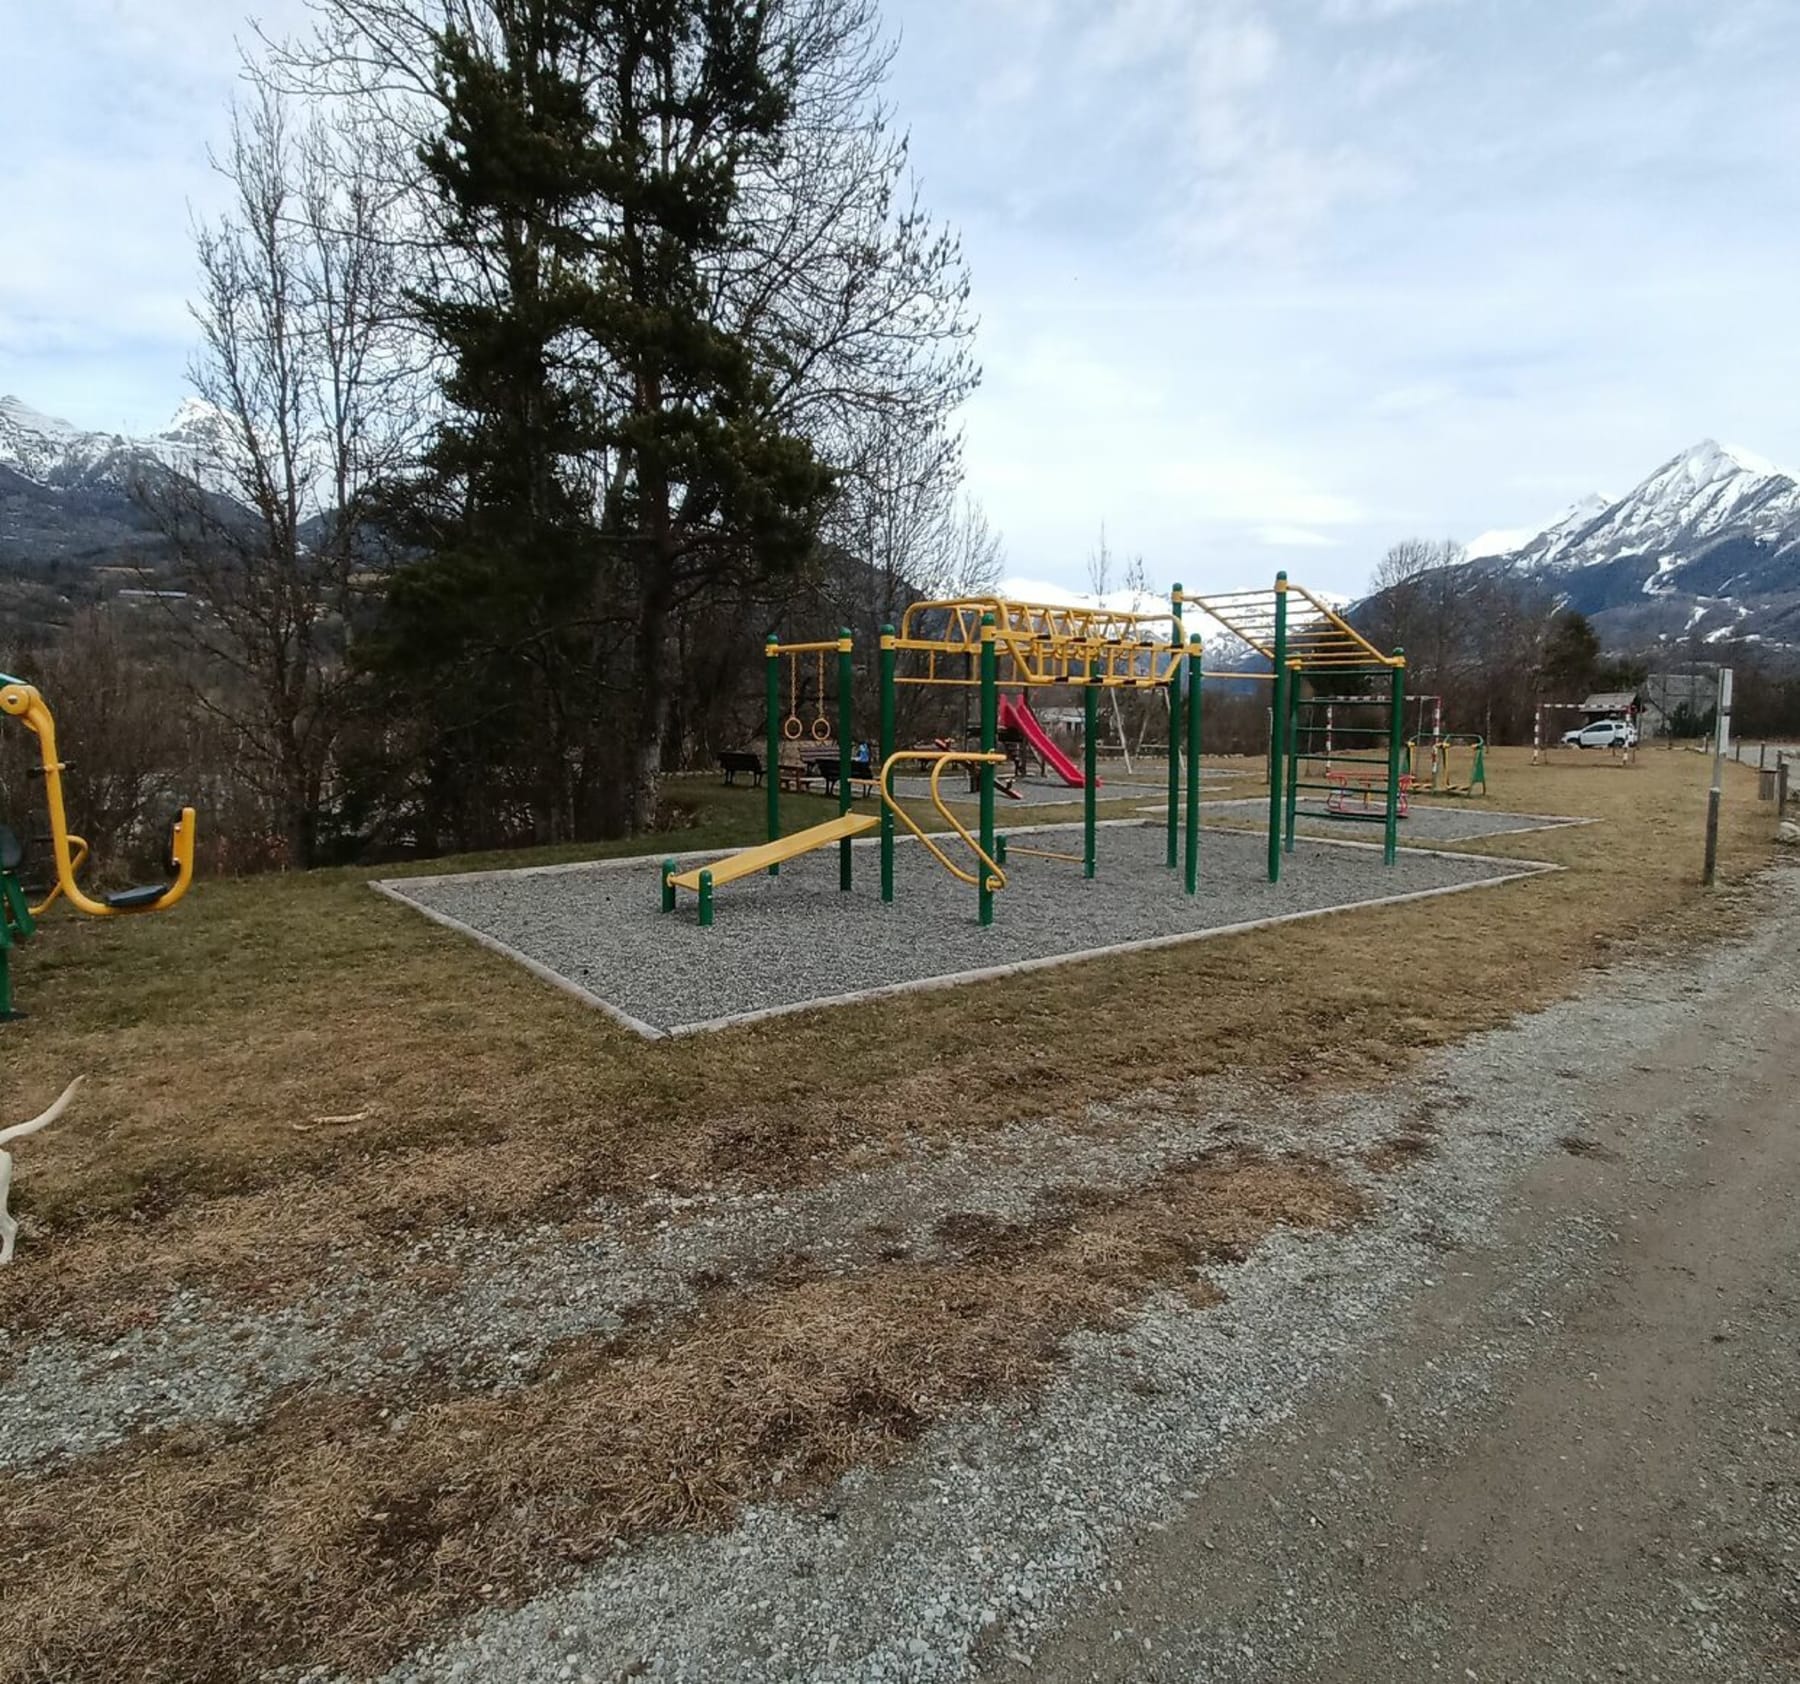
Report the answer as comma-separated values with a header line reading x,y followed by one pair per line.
x,y
796,940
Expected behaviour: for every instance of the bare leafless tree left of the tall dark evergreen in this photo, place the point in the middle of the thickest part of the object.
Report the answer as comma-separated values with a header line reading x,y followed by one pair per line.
x,y
309,399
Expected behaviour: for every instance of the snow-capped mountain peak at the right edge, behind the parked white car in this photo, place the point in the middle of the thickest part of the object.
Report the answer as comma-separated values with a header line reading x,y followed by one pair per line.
x,y
1709,546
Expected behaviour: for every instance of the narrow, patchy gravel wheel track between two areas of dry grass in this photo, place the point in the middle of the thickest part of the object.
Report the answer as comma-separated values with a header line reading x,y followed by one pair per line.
x,y
483,1311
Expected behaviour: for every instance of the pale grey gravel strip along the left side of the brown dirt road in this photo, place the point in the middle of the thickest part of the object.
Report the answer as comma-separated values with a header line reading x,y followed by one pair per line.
x,y
973,1552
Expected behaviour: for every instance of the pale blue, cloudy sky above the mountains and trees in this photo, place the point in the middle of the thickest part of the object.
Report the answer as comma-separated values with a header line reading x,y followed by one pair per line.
x,y
1263,283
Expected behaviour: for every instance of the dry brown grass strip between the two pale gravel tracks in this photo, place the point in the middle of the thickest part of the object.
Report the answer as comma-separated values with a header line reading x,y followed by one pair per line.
x,y
341,1536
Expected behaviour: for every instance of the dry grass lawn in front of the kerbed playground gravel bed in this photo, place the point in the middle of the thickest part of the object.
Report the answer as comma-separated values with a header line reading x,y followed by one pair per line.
x,y
222,1037
